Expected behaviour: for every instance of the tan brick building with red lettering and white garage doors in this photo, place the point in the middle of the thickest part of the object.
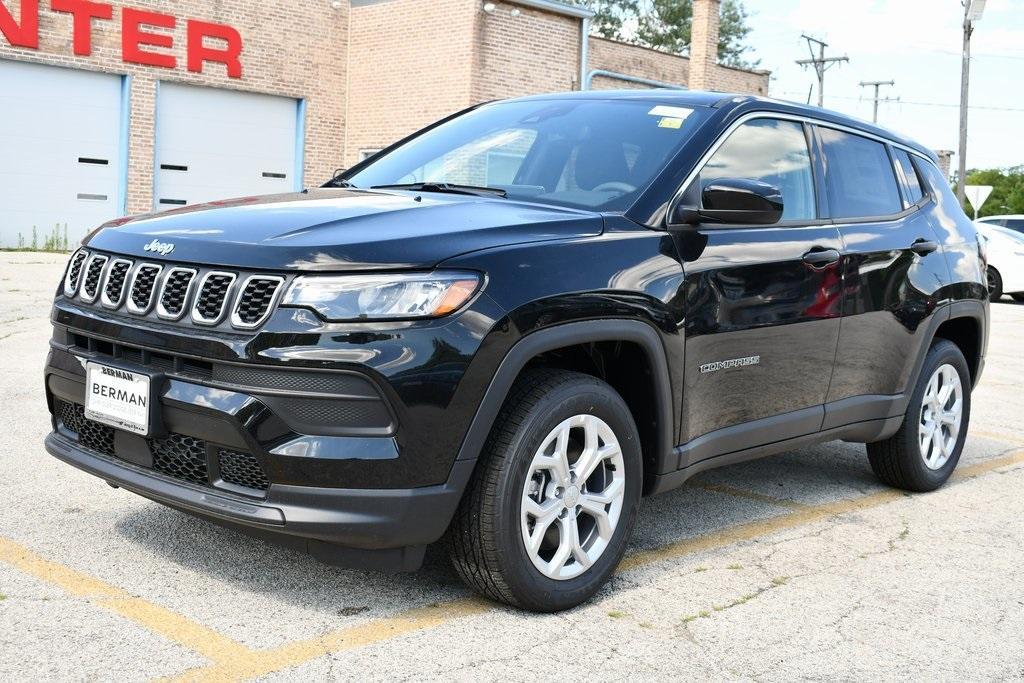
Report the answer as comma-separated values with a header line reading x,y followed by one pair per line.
x,y
111,107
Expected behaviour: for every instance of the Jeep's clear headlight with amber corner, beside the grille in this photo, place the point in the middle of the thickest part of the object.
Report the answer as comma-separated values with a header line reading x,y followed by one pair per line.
x,y
383,297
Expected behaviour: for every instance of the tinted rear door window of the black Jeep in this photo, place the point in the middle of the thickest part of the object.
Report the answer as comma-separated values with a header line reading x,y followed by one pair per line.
x,y
861,178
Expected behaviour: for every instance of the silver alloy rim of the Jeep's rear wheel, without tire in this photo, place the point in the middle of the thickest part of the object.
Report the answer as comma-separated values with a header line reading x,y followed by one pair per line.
x,y
942,415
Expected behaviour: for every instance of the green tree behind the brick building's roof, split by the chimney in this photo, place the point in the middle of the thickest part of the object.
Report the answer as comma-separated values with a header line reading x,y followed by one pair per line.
x,y
666,25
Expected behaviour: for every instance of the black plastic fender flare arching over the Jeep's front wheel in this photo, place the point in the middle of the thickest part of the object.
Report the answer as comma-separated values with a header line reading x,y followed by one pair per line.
x,y
571,334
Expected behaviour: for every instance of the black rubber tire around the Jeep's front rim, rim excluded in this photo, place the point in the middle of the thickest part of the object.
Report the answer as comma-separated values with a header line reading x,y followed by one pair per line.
x,y
534,589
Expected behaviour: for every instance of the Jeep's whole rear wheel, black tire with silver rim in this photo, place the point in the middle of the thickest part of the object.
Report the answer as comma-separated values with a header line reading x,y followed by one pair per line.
x,y
902,461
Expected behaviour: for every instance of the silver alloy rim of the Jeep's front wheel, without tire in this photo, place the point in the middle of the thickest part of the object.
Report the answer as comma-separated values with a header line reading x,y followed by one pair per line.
x,y
573,497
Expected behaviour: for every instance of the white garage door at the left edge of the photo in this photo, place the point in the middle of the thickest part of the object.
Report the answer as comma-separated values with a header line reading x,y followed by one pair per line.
x,y
60,152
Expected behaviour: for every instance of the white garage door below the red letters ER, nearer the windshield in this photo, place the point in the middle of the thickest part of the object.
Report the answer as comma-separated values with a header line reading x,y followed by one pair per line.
x,y
215,145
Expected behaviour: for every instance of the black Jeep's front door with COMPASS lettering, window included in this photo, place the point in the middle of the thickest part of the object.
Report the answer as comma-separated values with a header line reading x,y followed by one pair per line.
x,y
763,303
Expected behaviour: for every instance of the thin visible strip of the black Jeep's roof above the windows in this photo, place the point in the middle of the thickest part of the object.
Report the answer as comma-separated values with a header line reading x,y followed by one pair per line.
x,y
726,100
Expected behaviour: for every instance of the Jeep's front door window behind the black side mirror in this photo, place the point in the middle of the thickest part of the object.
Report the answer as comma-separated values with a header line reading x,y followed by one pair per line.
x,y
775,152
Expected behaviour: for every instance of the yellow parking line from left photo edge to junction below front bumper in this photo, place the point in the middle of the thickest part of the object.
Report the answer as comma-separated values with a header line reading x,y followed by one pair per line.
x,y
176,628
